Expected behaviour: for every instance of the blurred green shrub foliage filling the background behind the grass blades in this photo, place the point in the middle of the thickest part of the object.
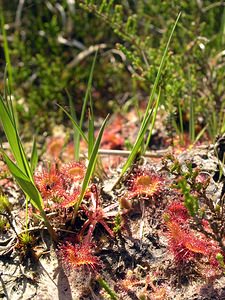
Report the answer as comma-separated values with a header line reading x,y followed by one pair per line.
x,y
51,42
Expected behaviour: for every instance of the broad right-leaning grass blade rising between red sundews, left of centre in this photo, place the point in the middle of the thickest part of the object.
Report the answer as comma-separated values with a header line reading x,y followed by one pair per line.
x,y
92,162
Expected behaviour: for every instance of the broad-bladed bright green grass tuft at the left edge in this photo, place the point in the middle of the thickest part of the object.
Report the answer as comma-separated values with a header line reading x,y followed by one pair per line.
x,y
21,169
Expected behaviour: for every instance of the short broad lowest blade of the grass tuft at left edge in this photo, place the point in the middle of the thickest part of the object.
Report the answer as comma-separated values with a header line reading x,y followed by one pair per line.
x,y
24,182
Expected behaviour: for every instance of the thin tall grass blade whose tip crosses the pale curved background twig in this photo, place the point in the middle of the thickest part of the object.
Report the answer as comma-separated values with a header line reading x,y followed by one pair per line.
x,y
88,91
